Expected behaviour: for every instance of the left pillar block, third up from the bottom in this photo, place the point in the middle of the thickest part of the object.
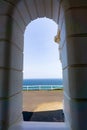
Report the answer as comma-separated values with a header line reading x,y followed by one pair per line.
x,y
11,56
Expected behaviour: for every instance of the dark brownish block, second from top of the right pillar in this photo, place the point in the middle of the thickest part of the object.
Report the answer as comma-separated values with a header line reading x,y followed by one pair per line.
x,y
76,21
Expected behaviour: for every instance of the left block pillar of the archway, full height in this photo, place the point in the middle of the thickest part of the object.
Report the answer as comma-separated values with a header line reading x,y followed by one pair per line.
x,y
11,65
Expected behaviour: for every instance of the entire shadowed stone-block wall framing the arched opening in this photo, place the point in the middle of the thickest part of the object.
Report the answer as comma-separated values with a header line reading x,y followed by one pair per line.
x,y
72,20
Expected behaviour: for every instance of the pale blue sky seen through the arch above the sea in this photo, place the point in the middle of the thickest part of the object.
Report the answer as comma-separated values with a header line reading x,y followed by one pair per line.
x,y
41,55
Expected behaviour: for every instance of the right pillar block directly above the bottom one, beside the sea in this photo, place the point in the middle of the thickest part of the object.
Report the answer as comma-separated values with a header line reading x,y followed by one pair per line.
x,y
75,82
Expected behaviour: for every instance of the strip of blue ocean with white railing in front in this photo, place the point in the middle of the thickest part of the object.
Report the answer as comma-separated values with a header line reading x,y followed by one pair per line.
x,y
42,84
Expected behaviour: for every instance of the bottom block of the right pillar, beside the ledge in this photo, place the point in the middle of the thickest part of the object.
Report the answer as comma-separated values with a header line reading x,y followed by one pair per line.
x,y
75,111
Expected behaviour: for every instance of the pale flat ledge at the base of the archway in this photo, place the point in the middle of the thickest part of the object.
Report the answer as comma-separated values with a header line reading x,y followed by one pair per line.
x,y
39,126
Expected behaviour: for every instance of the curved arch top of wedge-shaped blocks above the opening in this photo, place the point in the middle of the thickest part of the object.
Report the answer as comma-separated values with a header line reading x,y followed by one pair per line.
x,y
24,11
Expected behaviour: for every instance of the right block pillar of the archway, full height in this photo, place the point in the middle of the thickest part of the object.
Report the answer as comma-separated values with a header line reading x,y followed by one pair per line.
x,y
73,55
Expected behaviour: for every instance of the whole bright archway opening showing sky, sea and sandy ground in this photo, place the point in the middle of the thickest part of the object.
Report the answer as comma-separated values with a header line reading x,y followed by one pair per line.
x,y
42,84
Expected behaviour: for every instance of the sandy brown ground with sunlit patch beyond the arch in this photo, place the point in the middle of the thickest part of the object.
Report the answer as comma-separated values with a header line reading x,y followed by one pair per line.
x,y
34,101
